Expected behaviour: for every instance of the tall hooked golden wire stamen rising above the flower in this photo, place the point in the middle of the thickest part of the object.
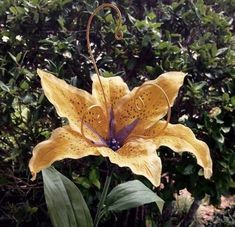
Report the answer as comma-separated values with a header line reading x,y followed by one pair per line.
x,y
118,36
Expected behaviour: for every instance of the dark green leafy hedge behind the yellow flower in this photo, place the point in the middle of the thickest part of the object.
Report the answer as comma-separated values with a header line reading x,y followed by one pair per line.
x,y
193,36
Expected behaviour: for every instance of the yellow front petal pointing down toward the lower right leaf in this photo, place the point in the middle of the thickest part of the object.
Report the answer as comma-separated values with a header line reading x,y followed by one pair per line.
x,y
140,156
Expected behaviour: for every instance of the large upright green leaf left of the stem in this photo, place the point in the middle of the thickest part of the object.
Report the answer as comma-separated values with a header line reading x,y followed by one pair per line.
x,y
64,201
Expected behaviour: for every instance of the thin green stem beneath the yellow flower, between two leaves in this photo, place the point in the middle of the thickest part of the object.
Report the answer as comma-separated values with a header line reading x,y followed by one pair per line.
x,y
102,199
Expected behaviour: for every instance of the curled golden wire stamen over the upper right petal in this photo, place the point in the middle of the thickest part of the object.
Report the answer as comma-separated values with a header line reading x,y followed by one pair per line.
x,y
142,105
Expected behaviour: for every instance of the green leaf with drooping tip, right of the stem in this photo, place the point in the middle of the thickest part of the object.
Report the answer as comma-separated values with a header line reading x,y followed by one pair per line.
x,y
131,194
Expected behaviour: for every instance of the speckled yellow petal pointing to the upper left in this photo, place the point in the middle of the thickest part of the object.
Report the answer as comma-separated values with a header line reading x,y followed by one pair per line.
x,y
72,103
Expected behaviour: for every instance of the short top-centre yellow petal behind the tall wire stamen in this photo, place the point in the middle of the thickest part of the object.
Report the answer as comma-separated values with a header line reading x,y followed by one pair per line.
x,y
114,89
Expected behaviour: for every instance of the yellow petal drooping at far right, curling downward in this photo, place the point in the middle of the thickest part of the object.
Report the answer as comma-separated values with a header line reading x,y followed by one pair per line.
x,y
181,138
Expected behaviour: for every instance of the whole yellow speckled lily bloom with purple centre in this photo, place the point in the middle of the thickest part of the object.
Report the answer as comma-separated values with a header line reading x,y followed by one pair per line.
x,y
126,127
